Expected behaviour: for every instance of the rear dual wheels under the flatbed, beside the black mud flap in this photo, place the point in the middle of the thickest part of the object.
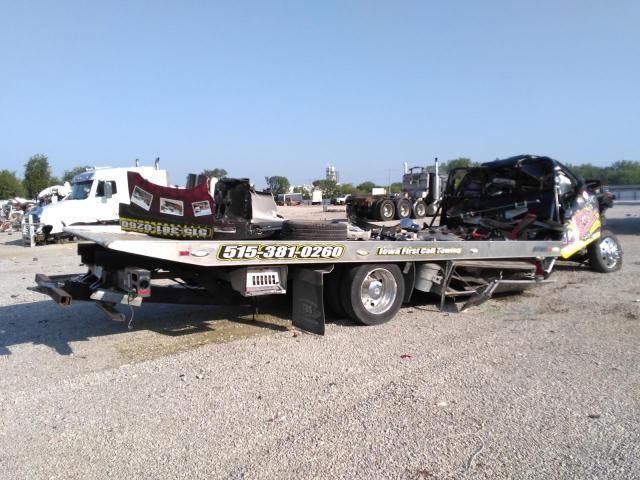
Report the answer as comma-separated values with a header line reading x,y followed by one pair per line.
x,y
370,294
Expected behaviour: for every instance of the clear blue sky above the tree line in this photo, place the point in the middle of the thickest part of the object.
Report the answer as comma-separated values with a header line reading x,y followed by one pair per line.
x,y
286,87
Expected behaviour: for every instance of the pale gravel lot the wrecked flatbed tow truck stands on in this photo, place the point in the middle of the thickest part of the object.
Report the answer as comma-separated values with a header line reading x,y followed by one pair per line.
x,y
539,385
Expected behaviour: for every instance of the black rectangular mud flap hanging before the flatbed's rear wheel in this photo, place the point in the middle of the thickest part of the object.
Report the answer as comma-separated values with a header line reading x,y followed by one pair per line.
x,y
308,299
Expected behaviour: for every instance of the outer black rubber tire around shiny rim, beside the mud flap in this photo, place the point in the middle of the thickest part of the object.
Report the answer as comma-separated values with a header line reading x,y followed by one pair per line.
x,y
351,298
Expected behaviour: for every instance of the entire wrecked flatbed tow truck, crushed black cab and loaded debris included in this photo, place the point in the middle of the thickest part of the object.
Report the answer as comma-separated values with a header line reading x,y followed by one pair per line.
x,y
502,228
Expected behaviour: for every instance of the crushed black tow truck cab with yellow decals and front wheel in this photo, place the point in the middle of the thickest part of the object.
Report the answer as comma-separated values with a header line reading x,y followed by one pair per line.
x,y
530,197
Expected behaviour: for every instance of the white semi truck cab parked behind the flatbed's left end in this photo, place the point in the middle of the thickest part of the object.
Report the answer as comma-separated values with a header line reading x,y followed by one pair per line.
x,y
94,199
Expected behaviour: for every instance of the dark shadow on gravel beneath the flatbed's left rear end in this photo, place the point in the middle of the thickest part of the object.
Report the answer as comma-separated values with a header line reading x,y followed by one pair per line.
x,y
44,323
